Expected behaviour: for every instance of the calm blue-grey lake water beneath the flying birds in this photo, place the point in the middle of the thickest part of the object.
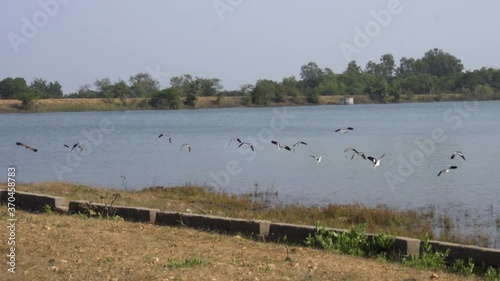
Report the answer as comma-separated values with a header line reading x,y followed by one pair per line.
x,y
122,149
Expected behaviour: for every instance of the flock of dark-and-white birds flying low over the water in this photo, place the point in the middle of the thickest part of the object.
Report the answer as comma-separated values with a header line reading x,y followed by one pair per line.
x,y
373,160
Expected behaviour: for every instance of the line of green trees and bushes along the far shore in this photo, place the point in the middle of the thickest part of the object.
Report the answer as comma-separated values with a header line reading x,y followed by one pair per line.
x,y
437,72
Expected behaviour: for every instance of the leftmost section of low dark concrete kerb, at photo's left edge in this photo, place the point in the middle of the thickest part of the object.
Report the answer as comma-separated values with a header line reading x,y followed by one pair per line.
x,y
34,202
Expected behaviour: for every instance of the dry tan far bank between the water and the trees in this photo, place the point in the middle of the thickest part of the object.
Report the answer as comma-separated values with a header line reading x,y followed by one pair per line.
x,y
76,104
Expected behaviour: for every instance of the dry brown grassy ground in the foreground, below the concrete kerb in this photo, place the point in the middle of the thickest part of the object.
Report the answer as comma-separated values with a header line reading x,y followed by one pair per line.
x,y
60,247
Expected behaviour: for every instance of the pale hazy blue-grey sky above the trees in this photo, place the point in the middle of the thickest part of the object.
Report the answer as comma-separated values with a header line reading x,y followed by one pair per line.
x,y
76,42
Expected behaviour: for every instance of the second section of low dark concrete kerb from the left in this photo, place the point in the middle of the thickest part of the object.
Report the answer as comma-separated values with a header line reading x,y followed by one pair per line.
x,y
136,214
